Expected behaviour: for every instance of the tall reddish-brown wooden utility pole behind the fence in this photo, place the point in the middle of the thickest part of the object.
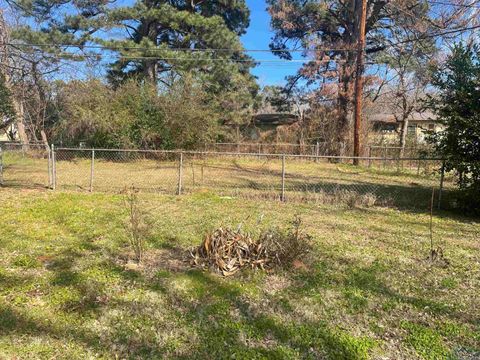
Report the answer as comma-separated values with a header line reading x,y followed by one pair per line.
x,y
361,12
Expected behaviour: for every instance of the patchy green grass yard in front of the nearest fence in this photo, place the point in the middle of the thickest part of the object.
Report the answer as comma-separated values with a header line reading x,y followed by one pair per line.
x,y
68,291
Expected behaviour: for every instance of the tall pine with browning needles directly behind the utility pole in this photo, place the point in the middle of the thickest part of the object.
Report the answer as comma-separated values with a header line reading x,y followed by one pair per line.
x,y
326,32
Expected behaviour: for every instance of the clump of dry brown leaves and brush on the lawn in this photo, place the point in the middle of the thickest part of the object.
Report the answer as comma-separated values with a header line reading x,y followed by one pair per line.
x,y
227,251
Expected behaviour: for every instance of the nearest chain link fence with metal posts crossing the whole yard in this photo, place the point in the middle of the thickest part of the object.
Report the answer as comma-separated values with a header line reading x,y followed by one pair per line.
x,y
383,181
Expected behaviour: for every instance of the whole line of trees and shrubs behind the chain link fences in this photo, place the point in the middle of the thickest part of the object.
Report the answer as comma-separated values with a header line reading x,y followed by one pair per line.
x,y
168,46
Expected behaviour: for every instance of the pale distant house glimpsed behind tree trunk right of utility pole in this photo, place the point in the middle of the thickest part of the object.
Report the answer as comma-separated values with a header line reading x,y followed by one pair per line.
x,y
418,124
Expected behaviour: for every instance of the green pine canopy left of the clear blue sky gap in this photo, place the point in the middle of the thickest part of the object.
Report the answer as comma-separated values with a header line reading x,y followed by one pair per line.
x,y
156,40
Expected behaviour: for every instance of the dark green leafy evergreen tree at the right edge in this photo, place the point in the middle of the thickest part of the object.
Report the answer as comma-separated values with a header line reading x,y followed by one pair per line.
x,y
457,106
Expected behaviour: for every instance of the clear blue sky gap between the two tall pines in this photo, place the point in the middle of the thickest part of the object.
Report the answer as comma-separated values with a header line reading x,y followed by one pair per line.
x,y
258,37
